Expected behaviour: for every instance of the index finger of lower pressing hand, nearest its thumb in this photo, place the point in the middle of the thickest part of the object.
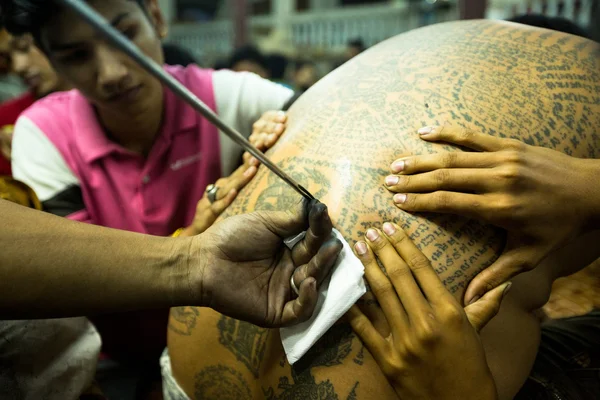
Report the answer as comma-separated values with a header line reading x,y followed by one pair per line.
x,y
420,267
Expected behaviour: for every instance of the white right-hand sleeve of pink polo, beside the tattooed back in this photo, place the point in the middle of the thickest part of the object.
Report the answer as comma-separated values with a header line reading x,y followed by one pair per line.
x,y
241,99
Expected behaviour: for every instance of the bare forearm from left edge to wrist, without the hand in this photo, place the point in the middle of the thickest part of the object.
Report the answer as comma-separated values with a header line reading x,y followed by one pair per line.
x,y
51,267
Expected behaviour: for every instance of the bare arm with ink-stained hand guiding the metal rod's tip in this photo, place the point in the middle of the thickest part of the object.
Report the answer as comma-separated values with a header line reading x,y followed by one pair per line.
x,y
52,267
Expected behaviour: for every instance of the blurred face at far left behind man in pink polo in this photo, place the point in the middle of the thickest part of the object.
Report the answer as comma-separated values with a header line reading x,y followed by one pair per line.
x,y
32,66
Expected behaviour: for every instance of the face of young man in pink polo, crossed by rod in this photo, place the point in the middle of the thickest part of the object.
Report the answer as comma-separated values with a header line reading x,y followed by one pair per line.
x,y
107,77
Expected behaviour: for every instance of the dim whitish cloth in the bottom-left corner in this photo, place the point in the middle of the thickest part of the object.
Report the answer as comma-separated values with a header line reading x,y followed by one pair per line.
x,y
50,359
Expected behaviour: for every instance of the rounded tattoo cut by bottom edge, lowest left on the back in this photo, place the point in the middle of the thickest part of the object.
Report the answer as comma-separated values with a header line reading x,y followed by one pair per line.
x,y
221,382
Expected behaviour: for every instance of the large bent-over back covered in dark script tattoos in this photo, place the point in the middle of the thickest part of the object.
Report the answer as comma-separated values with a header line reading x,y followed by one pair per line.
x,y
534,85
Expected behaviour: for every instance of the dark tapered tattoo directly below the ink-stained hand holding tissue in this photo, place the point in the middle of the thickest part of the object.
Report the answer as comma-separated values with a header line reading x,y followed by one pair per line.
x,y
246,341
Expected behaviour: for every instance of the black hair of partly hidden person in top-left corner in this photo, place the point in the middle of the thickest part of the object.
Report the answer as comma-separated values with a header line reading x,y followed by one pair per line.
x,y
27,16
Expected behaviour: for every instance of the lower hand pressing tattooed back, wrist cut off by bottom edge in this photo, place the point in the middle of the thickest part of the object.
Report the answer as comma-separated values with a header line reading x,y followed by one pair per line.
x,y
430,335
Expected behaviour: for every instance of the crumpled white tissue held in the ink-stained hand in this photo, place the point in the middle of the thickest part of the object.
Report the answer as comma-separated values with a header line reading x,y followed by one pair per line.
x,y
339,292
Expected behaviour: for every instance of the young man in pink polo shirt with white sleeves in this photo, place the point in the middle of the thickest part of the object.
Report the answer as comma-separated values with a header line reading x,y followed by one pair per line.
x,y
122,152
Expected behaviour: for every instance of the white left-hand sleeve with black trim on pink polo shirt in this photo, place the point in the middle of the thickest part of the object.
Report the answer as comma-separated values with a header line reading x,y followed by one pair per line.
x,y
39,164
